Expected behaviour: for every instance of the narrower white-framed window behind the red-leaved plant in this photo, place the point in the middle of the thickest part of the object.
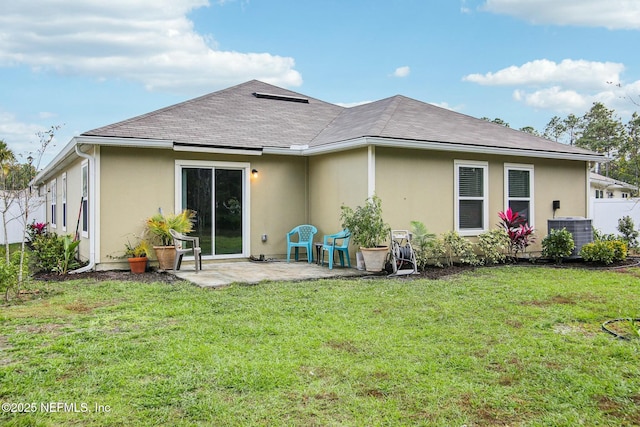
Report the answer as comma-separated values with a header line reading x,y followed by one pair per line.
x,y
519,190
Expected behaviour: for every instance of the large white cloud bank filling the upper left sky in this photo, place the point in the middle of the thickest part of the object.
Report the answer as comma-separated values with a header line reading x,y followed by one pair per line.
x,y
147,41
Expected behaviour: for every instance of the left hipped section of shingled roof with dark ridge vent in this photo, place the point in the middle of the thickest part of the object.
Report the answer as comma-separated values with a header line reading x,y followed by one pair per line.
x,y
234,118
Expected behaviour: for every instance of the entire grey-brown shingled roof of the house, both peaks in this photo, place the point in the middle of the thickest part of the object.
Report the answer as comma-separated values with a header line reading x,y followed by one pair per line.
x,y
256,115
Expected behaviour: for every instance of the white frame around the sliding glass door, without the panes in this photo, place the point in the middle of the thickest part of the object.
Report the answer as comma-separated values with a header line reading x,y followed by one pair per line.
x,y
246,197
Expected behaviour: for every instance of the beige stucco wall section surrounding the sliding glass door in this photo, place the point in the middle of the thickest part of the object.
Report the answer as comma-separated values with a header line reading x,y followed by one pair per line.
x,y
278,196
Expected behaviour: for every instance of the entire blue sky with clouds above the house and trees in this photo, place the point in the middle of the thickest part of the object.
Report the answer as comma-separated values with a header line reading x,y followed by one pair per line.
x,y
87,63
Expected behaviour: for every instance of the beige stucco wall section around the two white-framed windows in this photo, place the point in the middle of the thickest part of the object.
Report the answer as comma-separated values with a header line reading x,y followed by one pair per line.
x,y
419,185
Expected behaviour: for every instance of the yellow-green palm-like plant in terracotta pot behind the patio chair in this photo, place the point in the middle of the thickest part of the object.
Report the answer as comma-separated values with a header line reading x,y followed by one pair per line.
x,y
158,227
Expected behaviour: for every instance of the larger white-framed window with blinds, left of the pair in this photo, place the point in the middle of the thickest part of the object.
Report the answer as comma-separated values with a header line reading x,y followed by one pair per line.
x,y
471,197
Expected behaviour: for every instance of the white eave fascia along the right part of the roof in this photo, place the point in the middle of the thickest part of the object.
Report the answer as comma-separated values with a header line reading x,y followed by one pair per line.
x,y
434,146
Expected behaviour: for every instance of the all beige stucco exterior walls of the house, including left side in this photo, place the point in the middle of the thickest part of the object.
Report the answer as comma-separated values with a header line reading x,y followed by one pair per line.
x,y
290,190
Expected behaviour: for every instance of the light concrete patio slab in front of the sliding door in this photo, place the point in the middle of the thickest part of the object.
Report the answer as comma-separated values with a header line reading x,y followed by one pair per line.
x,y
219,274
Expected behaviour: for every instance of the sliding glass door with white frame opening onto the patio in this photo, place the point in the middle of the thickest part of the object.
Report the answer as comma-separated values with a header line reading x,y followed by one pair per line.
x,y
217,193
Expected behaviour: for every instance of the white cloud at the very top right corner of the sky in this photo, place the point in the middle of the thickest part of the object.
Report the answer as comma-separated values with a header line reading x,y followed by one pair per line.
x,y
612,14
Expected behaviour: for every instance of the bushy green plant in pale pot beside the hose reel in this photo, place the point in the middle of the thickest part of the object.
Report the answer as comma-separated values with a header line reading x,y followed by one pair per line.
x,y
369,231
